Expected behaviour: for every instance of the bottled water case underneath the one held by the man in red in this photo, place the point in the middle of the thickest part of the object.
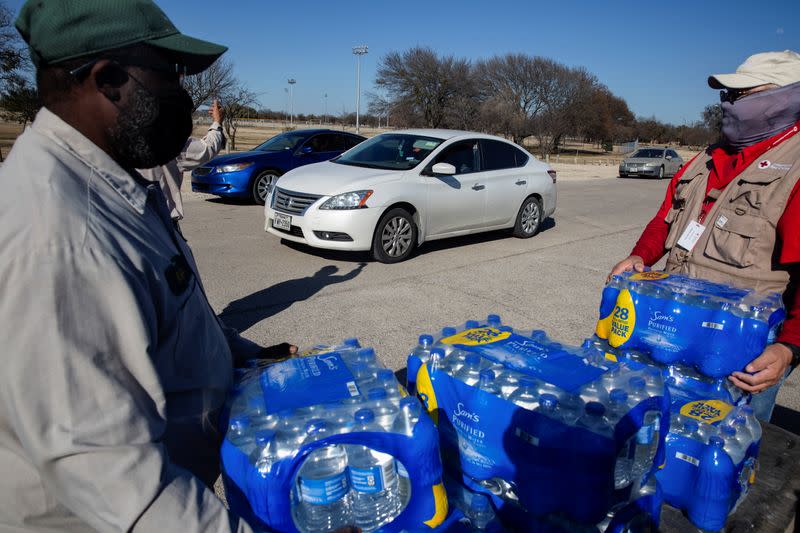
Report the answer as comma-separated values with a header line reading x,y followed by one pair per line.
x,y
712,444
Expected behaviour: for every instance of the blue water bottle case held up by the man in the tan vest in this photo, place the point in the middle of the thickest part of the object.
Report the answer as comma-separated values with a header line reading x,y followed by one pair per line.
x,y
715,328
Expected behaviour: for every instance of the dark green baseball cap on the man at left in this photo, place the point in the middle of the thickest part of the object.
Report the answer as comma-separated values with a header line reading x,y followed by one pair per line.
x,y
60,30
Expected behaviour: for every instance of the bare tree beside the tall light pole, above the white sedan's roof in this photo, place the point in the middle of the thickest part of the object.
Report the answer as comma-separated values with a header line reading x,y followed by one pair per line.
x,y
421,82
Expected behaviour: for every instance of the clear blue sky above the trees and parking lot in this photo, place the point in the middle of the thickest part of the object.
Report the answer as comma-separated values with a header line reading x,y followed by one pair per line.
x,y
656,56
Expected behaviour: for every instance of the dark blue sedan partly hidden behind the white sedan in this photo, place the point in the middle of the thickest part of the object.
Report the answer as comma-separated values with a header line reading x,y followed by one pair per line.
x,y
252,174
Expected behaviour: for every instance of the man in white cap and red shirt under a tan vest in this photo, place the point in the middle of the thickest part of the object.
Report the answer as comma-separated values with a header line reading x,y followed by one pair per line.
x,y
730,215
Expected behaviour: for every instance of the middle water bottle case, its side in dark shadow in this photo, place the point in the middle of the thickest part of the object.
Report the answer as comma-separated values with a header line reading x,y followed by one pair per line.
x,y
557,429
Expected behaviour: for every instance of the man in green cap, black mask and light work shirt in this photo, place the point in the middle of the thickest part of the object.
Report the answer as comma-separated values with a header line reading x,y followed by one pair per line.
x,y
114,363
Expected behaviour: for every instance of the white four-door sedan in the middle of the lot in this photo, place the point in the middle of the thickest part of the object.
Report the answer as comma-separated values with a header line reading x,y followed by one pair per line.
x,y
397,190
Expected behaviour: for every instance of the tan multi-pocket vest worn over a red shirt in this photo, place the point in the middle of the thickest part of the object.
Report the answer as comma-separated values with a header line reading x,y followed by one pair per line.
x,y
739,243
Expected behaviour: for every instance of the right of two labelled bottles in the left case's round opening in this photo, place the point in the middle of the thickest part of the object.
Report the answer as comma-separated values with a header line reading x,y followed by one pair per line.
x,y
373,477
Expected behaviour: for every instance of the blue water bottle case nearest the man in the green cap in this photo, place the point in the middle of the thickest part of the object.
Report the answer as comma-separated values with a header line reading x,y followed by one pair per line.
x,y
328,440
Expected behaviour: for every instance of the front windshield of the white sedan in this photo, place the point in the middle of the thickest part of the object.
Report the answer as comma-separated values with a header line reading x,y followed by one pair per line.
x,y
390,151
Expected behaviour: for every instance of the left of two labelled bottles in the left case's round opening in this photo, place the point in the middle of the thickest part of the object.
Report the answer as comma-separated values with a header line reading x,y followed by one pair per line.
x,y
322,484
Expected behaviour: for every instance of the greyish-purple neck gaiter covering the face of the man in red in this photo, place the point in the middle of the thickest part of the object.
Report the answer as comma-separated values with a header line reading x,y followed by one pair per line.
x,y
760,116
